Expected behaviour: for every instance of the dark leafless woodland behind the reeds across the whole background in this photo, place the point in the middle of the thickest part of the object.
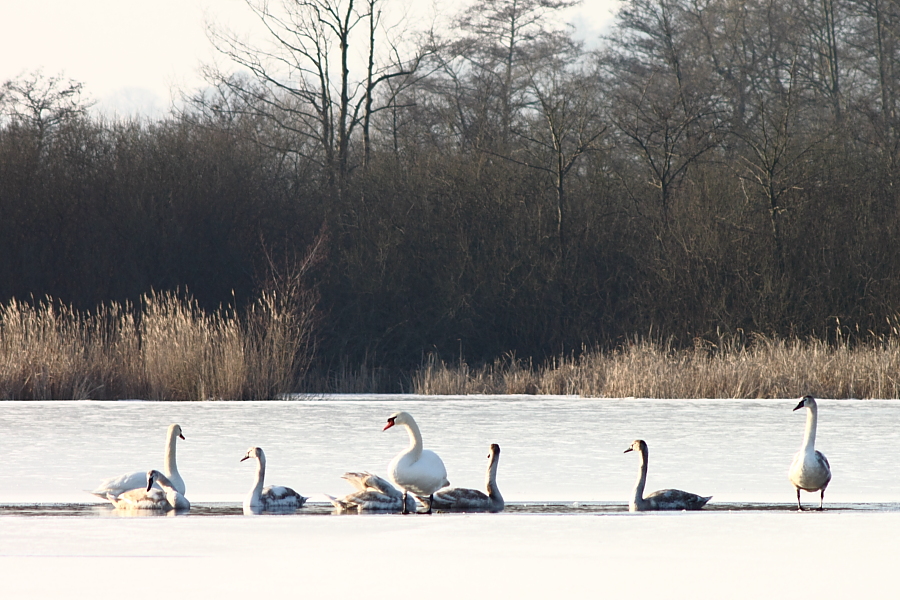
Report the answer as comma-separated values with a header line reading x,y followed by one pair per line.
x,y
713,169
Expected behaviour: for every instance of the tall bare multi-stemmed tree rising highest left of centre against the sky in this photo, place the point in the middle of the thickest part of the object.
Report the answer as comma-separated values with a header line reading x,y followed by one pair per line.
x,y
300,79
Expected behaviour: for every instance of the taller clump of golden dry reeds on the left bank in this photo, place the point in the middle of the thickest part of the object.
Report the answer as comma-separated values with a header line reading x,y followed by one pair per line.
x,y
167,348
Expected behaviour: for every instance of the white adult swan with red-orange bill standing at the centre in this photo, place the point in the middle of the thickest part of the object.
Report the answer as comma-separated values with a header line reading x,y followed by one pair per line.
x,y
415,470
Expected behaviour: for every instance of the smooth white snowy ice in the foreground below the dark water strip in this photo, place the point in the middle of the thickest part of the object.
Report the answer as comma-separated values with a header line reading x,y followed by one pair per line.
x,y
706,555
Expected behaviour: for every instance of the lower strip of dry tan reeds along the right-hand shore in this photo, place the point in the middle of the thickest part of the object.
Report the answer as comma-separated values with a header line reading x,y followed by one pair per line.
x,y
767,367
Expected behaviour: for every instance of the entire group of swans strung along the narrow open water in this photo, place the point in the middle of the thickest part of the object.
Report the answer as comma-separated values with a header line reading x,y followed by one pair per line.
x,y
417,473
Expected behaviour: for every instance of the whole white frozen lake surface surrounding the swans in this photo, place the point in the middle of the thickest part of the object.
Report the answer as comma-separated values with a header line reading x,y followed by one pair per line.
x,y
562,467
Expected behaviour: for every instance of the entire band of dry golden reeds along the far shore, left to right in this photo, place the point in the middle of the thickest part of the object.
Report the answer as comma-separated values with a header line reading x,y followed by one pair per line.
x,y
168,348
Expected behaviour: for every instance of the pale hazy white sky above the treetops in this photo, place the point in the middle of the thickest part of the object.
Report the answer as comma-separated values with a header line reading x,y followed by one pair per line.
x,y
131,55
